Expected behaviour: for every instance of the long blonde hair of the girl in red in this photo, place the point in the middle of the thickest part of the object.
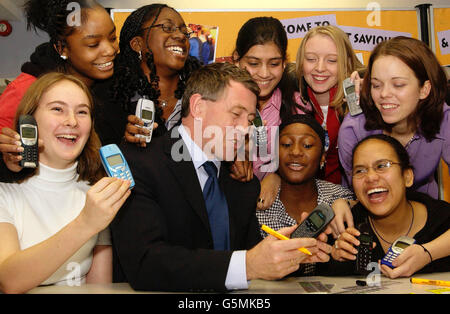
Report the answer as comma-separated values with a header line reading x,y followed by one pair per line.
x,y
347,63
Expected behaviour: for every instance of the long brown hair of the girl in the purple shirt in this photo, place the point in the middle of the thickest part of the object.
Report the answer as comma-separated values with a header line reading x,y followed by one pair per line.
x,y
421,60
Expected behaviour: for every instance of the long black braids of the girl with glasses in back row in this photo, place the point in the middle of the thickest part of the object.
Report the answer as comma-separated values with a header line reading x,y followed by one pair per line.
x,y
129,78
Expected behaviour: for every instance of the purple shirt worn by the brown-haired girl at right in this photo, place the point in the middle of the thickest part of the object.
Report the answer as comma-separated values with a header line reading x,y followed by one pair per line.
x,y
424,156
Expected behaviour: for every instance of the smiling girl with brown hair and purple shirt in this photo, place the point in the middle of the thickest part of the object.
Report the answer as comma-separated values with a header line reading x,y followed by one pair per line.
x,y
403,95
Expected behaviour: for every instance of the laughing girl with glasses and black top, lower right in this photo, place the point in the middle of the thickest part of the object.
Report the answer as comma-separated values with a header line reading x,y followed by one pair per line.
x,y
382,178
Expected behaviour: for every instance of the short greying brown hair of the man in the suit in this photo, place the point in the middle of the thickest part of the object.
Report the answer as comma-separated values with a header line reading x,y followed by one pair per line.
x,y
210,82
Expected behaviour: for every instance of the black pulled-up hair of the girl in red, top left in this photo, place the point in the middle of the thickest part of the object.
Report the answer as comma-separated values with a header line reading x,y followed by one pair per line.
x,y
51,16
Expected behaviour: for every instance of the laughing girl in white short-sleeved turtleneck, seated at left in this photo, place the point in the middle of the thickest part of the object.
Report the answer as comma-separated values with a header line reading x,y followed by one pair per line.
x,y
51,217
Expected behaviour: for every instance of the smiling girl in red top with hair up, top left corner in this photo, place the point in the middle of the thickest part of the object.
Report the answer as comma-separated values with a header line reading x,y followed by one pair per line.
x,y
86,51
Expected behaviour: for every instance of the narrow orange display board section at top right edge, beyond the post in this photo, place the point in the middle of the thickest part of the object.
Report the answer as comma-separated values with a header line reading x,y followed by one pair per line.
x,y
441,24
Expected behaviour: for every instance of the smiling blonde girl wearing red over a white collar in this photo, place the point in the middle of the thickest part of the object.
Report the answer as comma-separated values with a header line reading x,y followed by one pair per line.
x,y
325,59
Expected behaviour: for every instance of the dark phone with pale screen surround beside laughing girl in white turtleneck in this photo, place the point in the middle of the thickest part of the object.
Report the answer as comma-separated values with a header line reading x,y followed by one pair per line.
x,y
28,131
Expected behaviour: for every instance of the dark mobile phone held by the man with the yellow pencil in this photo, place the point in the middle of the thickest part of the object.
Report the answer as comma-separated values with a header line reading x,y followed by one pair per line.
x,y
315,223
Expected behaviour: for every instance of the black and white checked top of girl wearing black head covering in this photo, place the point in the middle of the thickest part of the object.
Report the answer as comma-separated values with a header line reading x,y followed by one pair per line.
x,y
276,216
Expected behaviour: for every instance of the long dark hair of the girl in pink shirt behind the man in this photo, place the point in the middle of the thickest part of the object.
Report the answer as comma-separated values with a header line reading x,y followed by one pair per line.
x,y
262,30
